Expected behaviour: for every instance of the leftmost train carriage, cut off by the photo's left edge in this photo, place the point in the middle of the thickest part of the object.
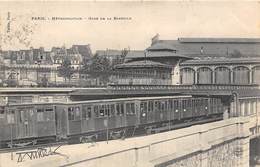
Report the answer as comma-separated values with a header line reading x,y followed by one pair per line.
x,y
24,122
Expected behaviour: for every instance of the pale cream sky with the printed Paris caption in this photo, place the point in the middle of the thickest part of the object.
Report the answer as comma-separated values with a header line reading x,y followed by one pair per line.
x,y
142,20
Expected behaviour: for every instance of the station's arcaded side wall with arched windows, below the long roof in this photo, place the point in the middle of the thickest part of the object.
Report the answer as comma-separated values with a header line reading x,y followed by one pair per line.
x,y
220,71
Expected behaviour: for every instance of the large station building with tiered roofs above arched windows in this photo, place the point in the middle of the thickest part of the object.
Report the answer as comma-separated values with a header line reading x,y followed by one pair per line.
x,y
205,60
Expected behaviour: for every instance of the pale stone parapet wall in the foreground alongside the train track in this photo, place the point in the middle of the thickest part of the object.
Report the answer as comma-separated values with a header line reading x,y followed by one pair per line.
x,y
224,142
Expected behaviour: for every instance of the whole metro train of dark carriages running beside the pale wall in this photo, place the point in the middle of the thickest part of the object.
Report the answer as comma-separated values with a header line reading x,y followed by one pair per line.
x,y
21,123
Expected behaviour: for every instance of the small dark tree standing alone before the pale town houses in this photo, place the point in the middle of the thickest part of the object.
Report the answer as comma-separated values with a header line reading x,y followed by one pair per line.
x,y
65,70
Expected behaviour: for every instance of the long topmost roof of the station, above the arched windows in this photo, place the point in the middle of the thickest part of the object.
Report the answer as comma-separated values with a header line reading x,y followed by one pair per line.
x,y
215,47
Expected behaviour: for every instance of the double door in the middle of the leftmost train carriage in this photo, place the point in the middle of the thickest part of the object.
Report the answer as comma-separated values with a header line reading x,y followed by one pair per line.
x,y
26,123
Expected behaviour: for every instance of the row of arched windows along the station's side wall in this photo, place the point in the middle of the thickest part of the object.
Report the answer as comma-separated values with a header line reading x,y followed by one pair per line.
x,y
222,75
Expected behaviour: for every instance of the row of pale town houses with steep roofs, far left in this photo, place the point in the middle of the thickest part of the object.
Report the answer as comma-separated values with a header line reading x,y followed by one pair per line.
x,y
34,66
